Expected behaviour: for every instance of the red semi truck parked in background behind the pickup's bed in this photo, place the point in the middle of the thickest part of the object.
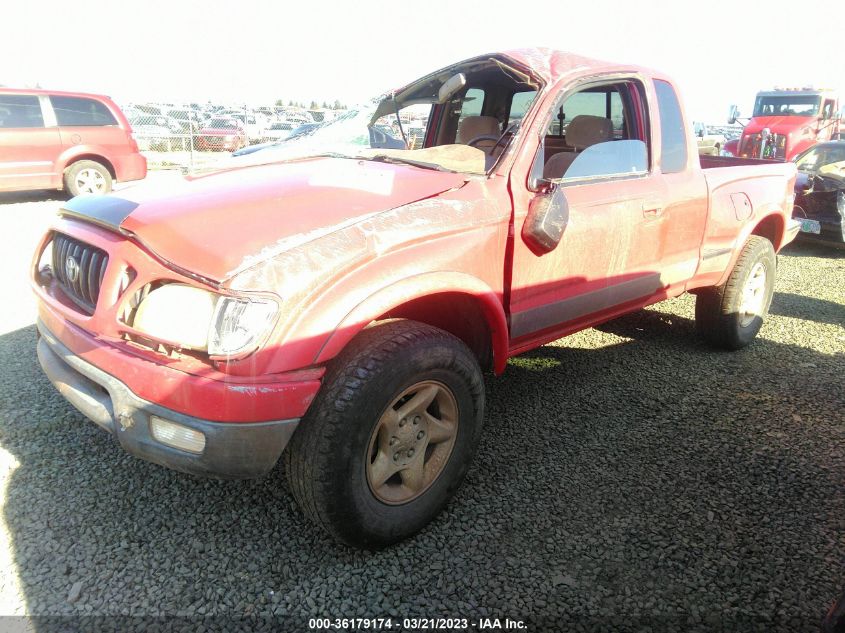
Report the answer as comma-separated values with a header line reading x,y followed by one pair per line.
x,y
785,122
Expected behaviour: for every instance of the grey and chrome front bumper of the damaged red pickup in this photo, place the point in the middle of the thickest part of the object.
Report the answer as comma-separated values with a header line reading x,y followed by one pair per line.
x,y
232,450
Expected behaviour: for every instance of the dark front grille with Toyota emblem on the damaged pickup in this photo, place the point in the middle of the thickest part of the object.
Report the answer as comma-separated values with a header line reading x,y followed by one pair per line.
x,y
79,268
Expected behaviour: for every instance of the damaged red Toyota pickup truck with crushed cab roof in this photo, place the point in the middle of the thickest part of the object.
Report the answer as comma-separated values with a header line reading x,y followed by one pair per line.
x,y
341,300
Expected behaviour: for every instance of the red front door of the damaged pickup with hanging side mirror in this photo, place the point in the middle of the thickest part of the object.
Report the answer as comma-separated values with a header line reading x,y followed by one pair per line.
x,y
606,256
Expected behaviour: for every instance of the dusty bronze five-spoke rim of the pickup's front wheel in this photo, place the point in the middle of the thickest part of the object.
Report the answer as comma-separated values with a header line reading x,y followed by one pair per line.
x,y
412,442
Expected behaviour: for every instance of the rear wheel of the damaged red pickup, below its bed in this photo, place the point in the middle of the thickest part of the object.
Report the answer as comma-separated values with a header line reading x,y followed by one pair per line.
x,y
730,316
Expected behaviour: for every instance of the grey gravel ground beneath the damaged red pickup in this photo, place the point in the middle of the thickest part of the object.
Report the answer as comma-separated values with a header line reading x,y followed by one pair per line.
x,y
629,478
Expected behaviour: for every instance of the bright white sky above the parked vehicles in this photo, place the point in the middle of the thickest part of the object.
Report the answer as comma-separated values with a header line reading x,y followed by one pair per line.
x,y
256,51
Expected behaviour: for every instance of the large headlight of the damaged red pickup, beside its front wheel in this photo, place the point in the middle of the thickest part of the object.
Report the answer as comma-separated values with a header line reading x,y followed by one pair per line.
x,y
201,320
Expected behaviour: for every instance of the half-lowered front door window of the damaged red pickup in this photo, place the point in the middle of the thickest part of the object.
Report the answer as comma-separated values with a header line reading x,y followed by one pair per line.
x,y
597,132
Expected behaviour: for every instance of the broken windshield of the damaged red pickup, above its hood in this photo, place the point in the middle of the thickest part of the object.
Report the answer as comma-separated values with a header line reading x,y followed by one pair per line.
x,y
357,133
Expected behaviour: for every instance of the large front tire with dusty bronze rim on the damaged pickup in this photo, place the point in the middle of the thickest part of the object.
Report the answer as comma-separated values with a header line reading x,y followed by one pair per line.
x,y
334,454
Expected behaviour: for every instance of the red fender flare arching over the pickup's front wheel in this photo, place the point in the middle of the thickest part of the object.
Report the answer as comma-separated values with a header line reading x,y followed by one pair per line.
x,y
419,287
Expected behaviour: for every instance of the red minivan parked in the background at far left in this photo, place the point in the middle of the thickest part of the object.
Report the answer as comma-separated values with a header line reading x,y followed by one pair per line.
x,y
65,140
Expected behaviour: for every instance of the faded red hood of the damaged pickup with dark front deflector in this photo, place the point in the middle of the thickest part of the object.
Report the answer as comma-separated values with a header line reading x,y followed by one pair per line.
x,y
218,225
